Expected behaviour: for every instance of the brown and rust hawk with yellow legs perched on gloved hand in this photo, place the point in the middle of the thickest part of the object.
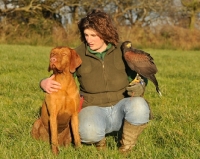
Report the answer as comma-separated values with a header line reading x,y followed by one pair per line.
x,y
140,62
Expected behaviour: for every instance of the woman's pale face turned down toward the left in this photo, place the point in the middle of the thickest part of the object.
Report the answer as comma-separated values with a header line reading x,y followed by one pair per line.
x,y
94,41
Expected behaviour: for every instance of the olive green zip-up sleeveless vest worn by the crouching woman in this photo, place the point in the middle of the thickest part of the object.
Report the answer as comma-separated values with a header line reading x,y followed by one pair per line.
x,y
102,81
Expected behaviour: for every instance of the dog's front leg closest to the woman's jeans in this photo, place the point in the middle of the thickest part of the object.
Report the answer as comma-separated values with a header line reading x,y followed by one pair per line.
x,y
75,126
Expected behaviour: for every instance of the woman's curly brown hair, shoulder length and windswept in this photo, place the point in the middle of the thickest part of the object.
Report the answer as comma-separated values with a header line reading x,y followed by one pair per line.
x,y
102,24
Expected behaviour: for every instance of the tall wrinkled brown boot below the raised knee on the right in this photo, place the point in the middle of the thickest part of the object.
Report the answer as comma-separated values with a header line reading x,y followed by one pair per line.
x,y
130,135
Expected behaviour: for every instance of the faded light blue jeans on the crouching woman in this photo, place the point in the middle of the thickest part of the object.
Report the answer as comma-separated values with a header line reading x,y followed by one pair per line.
x,y
95,122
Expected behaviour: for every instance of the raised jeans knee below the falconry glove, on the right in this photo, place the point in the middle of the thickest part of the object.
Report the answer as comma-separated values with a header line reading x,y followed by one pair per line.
x,y
136,110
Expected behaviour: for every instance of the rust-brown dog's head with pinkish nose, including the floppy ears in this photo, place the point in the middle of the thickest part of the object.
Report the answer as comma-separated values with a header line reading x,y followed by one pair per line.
x,y
64,59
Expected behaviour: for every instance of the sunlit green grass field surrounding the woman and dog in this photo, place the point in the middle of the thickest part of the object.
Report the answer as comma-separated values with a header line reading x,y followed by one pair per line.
x,y
174,132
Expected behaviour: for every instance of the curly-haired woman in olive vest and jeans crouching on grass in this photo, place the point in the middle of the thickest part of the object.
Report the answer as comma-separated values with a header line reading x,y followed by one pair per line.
x,y
103,78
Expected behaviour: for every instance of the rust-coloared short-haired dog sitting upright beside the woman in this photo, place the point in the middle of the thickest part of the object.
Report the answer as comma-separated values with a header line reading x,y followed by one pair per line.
x,y
60,108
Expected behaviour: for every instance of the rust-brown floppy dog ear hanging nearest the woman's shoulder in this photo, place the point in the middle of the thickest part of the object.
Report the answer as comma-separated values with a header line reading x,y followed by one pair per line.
x,y
75,61
